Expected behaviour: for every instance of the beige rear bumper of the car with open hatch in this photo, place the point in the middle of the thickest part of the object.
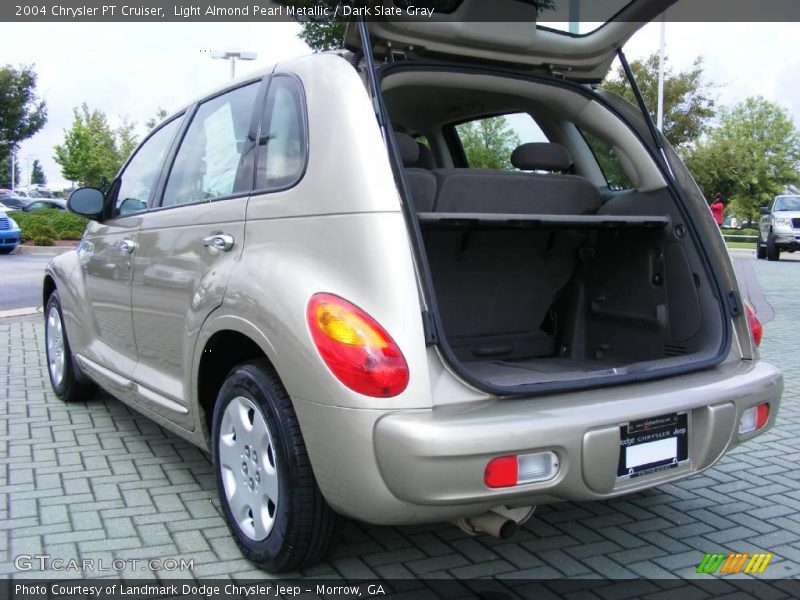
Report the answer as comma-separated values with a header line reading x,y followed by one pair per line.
x,y
428,465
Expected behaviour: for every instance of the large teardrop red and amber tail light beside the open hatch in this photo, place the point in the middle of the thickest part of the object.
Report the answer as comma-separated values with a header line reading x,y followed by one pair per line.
x,y
356,348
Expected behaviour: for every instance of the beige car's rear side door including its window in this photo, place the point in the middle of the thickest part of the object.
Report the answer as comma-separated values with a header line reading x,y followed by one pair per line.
x,y
189,243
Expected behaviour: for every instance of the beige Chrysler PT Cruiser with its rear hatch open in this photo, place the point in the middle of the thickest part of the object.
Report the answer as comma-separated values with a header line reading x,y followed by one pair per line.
x,y
314,274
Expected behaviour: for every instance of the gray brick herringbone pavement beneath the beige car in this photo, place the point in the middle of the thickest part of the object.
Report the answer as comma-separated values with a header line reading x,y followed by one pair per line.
x,y
97,481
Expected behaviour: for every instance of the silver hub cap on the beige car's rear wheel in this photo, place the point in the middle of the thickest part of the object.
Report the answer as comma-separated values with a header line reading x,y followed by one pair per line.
x,y
248,467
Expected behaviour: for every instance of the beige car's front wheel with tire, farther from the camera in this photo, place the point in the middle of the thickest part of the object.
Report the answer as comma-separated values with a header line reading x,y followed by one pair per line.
x,y
60,362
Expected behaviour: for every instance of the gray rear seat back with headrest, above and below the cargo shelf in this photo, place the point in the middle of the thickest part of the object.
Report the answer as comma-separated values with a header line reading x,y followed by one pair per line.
x,y
495,288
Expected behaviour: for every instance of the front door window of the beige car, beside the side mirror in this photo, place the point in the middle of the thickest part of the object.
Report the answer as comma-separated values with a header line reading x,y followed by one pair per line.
x,y
141,174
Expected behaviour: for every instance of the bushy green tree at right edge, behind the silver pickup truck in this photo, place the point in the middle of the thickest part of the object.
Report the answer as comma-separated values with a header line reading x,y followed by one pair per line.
x,y
750,157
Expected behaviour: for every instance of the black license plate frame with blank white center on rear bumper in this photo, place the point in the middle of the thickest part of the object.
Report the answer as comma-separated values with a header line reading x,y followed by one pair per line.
x,y
653,444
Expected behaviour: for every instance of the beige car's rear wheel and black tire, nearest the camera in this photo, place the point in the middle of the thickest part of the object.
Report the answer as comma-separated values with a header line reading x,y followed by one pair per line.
x,y
261,462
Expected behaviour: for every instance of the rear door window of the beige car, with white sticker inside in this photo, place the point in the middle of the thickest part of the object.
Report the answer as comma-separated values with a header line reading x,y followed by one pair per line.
x,y
211,153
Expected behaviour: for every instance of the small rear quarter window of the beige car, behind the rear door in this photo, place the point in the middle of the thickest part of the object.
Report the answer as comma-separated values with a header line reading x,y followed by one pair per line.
x,y
282,144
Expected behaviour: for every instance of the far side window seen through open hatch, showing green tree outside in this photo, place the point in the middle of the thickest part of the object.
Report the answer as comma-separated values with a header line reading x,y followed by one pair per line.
x,y
489,142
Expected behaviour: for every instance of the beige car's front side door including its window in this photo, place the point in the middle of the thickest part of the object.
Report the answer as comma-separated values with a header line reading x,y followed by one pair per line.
x,y
107,252
